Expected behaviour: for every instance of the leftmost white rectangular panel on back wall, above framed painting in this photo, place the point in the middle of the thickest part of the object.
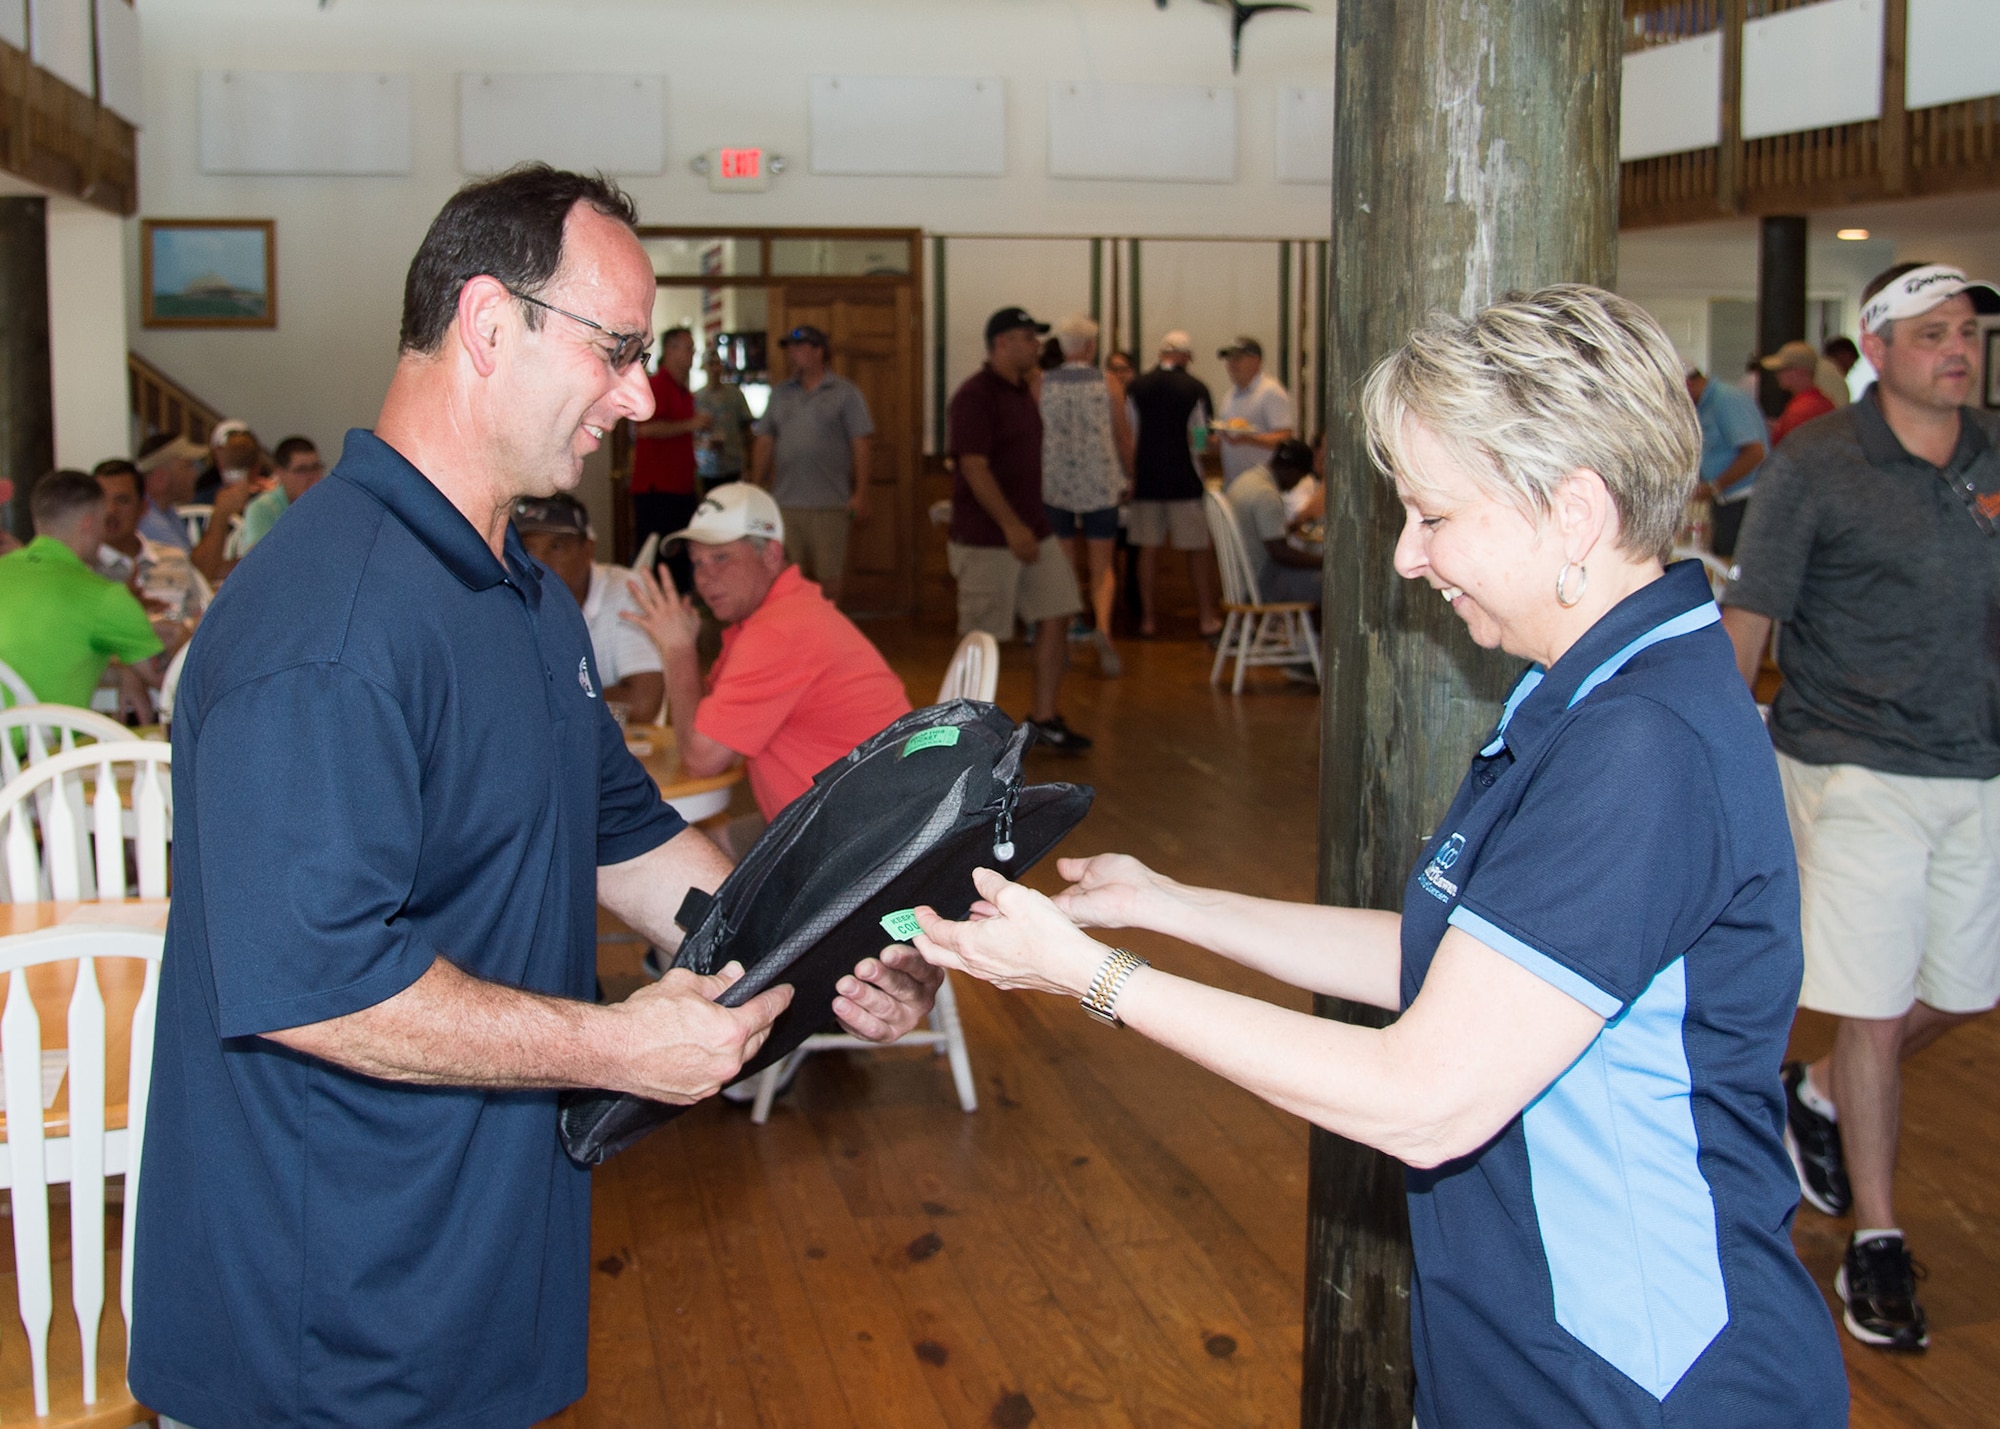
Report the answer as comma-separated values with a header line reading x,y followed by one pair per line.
x,y
305,123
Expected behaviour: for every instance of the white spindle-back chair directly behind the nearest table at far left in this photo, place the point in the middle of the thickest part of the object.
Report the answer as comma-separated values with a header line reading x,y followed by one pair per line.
x,y
79,804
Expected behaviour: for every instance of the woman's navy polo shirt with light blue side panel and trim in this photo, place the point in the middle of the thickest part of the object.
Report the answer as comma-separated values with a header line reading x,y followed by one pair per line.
x,y
1621,1254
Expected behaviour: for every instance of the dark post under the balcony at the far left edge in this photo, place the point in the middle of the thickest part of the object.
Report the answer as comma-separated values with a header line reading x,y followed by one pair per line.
x,y
27,403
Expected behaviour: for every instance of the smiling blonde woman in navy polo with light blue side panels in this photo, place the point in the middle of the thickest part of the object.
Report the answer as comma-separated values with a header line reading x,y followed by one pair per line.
x,y
1599,952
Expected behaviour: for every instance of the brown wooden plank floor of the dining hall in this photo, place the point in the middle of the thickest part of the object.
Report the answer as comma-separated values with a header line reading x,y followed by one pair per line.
x,y
1115,1238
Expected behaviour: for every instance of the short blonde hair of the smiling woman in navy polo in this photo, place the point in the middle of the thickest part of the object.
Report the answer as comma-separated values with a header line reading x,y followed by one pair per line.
x,y
1541,385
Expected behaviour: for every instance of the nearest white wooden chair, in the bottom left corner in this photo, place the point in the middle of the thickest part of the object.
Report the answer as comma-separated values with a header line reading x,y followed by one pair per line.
x,y
85,1154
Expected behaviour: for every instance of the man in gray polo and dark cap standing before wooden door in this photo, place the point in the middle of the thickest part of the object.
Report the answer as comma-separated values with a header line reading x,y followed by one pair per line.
x,y
817,425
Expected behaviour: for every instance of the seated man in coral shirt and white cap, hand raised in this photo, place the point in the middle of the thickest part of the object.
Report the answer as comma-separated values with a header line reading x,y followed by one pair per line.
x,y
797,683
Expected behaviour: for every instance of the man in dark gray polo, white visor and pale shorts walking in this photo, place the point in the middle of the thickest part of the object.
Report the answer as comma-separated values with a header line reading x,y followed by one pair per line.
x,y
1871,537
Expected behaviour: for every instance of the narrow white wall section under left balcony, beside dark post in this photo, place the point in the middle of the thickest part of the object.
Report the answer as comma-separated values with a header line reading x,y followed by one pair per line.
x,y
87,333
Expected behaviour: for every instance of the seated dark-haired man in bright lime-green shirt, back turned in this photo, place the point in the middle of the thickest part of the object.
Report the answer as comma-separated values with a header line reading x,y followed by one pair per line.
x,y
61,621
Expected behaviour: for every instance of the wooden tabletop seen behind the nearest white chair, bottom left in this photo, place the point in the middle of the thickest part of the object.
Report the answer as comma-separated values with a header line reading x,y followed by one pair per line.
x,y
121,982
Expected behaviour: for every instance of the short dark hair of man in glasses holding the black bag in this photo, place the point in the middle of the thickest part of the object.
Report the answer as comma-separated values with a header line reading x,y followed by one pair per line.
x,y
509,229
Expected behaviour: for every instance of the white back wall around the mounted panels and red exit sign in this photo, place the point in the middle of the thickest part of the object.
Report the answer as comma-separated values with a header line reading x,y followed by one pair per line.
x,y
737,73
